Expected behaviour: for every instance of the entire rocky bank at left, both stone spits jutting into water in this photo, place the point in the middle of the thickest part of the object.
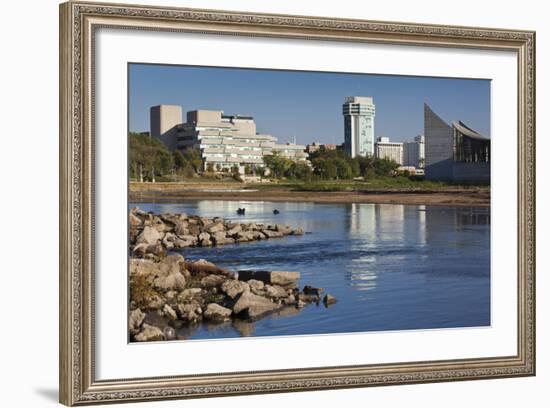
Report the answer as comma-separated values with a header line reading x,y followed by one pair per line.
x,y
170,296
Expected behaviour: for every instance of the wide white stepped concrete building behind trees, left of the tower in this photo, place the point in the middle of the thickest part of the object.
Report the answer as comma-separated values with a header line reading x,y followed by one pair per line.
x,y
229,140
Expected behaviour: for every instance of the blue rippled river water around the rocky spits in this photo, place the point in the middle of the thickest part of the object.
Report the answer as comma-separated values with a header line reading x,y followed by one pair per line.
x,y
391,267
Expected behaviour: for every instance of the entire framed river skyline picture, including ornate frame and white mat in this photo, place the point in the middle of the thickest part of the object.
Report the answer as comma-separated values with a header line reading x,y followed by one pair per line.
x,y
255,203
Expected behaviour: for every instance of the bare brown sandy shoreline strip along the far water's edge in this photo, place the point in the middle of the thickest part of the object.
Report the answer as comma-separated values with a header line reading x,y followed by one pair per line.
x,y
174,192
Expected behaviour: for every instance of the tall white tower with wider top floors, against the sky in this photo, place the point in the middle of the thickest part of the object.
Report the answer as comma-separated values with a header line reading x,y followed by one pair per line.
x,y
359,115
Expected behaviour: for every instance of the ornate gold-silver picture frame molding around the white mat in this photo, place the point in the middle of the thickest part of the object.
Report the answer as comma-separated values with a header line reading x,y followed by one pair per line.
x,y
78,22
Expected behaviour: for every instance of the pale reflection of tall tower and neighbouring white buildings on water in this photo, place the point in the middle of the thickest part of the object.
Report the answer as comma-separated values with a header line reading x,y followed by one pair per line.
x,y
379,234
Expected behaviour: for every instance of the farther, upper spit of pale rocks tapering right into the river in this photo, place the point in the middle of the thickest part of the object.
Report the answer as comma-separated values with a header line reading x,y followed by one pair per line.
x,y
154,234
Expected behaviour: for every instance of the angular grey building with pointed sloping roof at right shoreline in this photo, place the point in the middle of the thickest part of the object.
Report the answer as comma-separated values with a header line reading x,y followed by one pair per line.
x,y
455,152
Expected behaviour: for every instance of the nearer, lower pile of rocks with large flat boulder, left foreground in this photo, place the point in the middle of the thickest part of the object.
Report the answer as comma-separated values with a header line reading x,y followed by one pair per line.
x,y
169,293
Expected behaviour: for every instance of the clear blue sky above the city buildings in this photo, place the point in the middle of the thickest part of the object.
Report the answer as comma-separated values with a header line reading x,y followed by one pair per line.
x,y
307,104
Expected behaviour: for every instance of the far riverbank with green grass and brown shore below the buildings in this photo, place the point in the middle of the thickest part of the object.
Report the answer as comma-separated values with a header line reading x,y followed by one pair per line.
x,y
390,190
